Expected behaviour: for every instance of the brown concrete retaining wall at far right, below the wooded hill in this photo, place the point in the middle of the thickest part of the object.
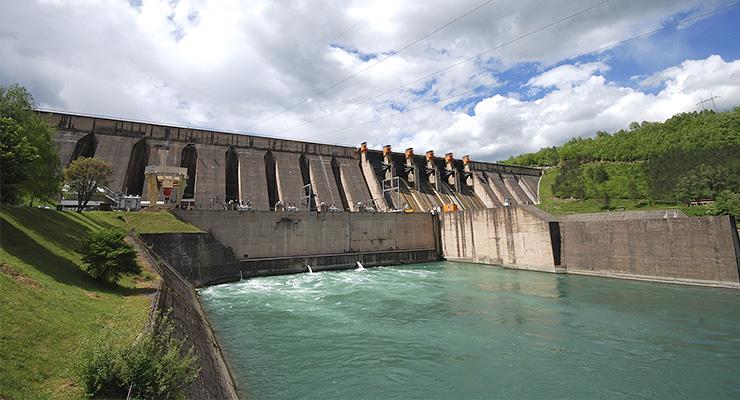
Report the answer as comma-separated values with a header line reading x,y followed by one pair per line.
x,y
684,250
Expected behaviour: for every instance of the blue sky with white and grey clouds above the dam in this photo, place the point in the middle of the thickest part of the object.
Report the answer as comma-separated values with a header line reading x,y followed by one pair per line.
x,y
486,78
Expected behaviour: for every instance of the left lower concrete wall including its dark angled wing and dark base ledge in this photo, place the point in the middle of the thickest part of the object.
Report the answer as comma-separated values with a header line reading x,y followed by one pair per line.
x,y
260,243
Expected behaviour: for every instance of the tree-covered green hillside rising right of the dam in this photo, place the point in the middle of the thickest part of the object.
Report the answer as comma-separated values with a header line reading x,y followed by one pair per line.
x,y
691,156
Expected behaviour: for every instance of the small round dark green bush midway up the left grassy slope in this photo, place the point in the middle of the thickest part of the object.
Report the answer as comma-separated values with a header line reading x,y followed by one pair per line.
x,y
107,256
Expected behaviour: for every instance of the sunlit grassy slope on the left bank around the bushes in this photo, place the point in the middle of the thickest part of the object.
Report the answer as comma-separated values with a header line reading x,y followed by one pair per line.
x,y
49,306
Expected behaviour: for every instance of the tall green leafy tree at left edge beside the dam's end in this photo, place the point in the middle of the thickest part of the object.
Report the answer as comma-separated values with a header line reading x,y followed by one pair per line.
x,y
37,177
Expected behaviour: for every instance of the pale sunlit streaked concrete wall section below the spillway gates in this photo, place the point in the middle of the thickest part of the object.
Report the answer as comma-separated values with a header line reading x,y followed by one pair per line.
x,y
516,236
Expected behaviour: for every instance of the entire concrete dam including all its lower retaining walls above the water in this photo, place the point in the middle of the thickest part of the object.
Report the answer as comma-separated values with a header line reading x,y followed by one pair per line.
x,y
330,207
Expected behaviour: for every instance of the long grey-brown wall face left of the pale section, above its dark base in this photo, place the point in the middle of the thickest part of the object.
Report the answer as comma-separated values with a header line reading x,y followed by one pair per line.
x,y
265,234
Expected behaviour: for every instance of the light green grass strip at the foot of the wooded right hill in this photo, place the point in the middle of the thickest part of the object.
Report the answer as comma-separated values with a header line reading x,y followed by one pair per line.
x,y
553,205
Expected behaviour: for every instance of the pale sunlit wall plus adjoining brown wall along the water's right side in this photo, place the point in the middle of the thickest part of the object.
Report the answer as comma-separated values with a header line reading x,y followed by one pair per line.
x,y
664,246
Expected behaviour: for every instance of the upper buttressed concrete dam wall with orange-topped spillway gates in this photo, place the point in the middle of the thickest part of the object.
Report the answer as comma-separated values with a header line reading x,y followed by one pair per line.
x,y
264,171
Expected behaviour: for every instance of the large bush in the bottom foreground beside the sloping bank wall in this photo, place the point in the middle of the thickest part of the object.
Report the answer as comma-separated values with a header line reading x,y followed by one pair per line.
x,y
155,366
